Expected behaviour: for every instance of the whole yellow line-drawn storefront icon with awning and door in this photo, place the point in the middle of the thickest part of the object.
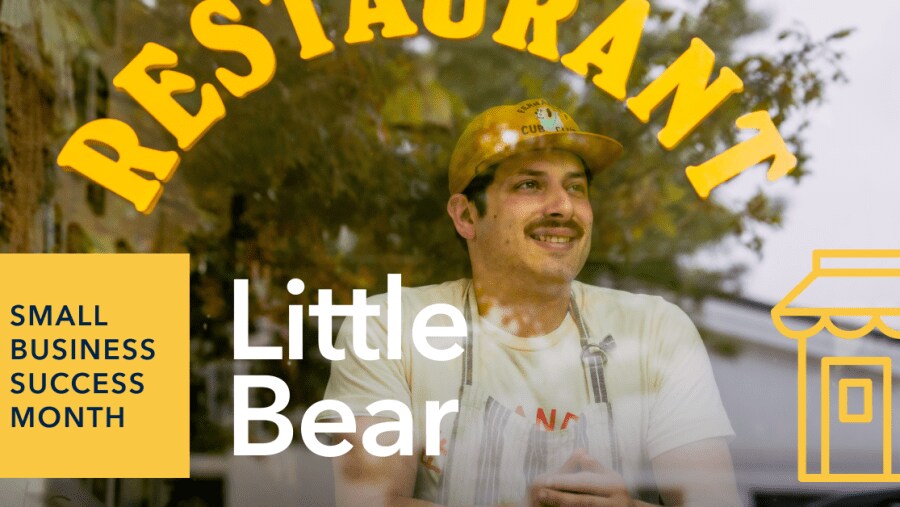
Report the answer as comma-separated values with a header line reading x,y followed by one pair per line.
x,y
847,319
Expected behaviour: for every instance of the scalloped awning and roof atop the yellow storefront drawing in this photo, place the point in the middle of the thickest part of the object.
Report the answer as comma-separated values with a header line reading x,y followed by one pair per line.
x,y
856,281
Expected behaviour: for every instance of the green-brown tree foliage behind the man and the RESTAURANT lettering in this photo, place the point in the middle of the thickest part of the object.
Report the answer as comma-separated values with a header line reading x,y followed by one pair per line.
x,y
336,171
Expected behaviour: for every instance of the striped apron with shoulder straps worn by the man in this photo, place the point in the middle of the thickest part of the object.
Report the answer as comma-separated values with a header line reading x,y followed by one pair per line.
x,y
495,454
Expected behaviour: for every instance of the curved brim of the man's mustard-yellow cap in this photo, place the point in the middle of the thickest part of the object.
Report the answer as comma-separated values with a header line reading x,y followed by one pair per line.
x,y
597,151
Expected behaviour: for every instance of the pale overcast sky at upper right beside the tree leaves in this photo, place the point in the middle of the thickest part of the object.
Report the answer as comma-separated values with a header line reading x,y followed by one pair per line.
x,y
852,197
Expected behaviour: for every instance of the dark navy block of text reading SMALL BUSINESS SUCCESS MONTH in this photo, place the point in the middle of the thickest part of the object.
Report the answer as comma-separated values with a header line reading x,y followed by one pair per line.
x,y
99,369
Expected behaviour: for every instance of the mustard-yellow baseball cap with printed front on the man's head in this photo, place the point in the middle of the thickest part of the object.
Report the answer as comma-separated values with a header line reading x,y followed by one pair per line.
x,y
536,124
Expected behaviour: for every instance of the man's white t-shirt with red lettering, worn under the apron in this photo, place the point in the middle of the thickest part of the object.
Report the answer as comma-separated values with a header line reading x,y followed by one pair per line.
x,y
659,380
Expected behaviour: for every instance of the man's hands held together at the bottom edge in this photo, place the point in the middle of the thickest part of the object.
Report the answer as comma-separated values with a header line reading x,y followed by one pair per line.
x,y
581,481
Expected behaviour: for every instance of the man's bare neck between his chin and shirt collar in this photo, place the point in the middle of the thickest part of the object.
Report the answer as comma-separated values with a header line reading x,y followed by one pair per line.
x,y
524,310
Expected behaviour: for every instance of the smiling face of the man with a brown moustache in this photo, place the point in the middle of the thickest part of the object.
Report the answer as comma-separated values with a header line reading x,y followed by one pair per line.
x,y
537,220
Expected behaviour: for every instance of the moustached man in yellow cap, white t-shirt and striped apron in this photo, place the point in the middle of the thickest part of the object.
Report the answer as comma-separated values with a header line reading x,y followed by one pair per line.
x,y
568,394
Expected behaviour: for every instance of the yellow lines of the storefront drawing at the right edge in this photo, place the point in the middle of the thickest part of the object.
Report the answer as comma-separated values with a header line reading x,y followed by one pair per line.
x,y
825,316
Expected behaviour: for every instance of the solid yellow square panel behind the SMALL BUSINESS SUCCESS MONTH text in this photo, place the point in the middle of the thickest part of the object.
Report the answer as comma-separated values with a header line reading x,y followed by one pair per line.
x,y
85,339
